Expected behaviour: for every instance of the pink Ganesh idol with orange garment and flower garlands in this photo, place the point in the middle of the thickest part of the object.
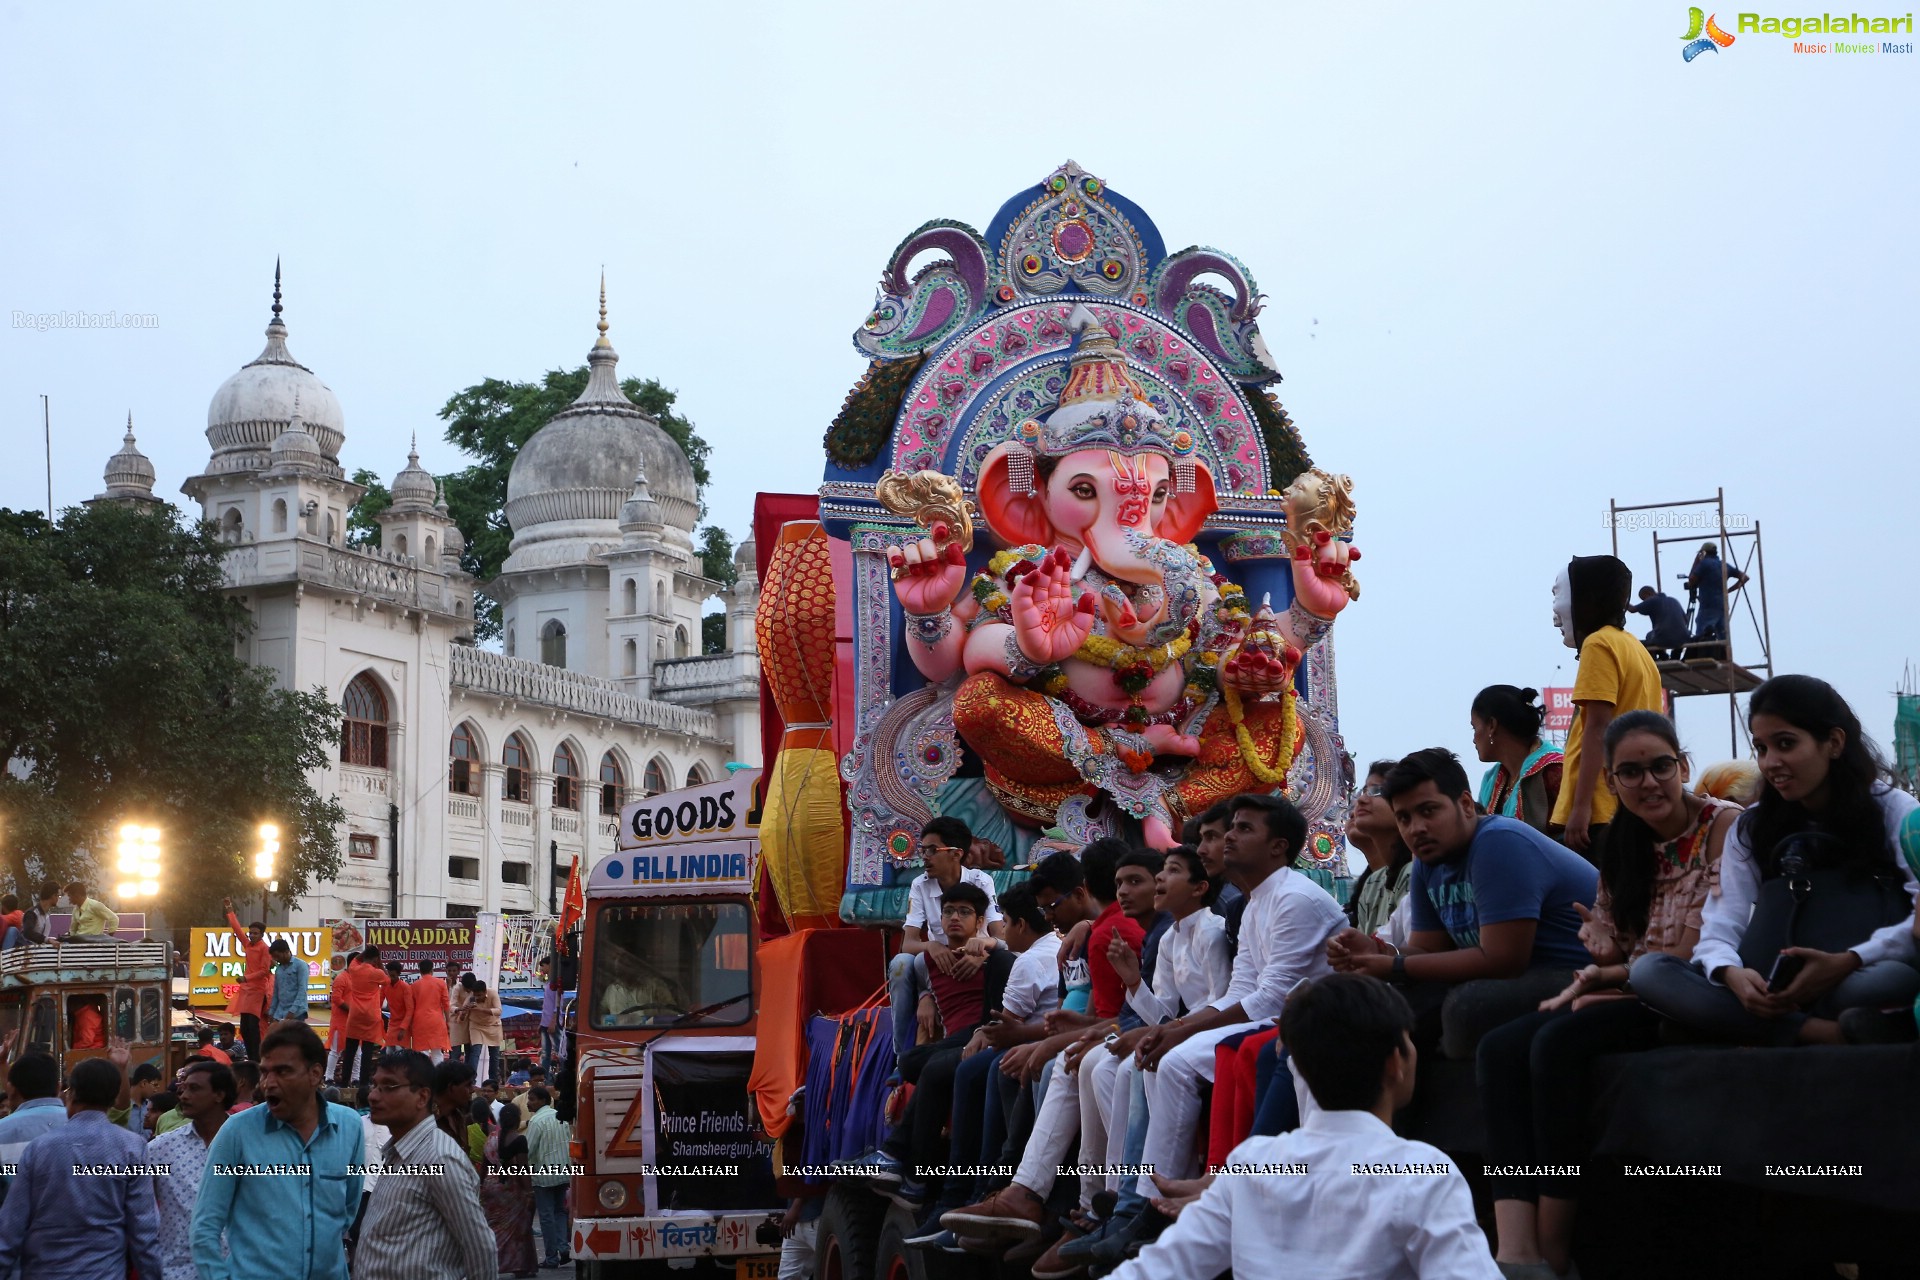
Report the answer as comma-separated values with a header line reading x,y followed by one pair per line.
x,y
1101,652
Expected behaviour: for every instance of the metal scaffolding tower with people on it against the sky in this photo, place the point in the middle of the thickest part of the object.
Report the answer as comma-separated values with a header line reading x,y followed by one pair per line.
x,y
1744,657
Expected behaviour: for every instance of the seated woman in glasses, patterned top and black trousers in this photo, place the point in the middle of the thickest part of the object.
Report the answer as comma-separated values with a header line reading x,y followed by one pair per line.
x,y
1658,866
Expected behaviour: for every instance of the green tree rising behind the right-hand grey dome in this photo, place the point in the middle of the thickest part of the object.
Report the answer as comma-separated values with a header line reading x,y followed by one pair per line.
x,y
492,419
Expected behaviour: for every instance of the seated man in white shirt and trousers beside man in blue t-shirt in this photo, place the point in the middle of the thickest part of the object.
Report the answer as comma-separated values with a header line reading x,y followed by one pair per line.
x,y
1284,941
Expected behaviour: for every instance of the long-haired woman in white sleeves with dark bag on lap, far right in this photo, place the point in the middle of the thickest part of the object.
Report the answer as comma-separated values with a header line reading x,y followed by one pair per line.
x,y
1827,817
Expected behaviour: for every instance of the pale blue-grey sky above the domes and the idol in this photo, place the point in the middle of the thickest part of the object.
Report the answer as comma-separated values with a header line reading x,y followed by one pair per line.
x,y
1520,264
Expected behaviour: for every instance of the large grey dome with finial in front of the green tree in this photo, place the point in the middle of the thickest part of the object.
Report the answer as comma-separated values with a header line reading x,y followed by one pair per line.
x,y
577,473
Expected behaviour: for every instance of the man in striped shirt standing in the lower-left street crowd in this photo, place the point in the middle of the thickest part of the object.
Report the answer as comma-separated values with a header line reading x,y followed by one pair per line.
x,y
423,1218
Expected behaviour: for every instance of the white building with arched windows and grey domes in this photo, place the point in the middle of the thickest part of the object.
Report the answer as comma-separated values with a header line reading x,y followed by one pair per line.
x,y
473,778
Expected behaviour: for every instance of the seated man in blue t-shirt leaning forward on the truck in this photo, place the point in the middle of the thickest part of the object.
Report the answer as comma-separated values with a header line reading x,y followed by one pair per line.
x,y
1495,930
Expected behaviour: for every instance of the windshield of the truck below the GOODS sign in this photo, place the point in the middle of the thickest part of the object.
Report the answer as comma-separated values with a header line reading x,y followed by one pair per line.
x,y
656,962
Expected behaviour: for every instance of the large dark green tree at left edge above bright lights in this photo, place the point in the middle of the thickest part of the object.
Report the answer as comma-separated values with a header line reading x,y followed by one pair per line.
x,y
124,698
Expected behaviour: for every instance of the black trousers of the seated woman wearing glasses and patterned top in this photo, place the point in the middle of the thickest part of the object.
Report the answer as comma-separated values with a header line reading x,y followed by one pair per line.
x,y
1537,1085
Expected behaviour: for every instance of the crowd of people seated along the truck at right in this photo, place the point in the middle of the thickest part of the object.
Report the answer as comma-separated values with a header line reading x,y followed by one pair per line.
x,y
1214,1045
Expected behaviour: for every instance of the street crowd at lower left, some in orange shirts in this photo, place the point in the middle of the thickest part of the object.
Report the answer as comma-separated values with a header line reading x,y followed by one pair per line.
x,y
383,1156
